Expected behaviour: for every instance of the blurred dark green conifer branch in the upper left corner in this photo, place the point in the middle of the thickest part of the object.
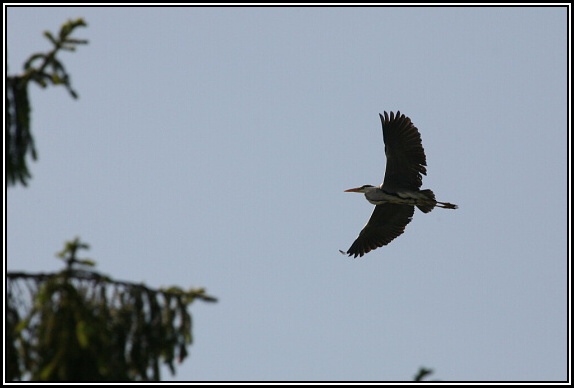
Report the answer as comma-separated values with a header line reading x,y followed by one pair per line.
x,y
43,69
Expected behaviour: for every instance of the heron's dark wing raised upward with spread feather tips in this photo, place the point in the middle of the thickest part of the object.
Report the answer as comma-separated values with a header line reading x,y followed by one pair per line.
x,y
406,158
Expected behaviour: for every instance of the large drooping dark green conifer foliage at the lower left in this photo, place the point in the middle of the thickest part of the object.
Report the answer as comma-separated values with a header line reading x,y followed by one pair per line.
x,y
83,326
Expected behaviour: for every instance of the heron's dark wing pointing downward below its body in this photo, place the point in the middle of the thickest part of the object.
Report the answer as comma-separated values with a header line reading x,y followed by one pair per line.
x,y
387,222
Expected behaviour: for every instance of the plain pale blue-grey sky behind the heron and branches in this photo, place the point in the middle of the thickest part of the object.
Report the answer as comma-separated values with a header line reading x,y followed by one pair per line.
x,y
211,146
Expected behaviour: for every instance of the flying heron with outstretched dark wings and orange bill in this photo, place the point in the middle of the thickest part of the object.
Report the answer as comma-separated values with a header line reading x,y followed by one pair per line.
x,y
397,196
